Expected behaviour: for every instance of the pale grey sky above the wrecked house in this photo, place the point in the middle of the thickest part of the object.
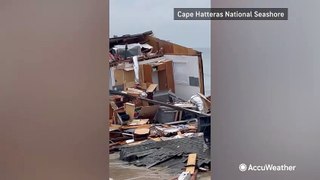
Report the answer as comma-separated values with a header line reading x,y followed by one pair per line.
x,y
136,16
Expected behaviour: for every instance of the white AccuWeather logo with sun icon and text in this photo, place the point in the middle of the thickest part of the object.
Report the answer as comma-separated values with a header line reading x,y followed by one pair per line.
x,y
266,167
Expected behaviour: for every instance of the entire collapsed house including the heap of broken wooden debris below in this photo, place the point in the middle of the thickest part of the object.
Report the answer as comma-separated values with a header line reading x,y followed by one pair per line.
x,y
156,94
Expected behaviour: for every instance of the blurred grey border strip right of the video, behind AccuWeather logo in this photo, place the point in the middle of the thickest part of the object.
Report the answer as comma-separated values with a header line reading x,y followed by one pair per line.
x,y
266,92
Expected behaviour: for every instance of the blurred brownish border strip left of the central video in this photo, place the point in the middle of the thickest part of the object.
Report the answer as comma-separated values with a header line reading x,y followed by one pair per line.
x,y
53,90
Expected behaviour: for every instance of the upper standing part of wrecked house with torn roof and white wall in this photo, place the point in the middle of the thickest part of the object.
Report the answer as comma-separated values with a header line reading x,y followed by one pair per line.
x,y
171,66
